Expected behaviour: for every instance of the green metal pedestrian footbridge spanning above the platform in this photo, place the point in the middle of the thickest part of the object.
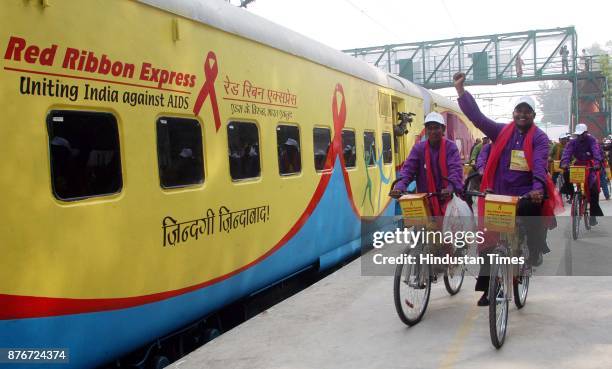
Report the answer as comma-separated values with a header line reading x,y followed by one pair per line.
x,y
537,55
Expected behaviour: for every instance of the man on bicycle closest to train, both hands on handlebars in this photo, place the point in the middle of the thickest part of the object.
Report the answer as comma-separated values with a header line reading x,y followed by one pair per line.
x,y
435,163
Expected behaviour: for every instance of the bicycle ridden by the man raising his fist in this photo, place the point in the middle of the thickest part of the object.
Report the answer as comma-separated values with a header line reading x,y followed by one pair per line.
x,y
505,276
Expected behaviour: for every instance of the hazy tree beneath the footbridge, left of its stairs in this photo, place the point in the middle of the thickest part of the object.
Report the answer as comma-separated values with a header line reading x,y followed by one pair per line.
x,y
555,101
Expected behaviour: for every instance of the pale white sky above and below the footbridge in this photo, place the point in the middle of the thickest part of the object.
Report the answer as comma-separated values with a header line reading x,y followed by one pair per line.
x,y
345,24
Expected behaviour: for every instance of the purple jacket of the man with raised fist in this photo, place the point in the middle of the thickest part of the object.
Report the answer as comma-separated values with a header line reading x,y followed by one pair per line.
x,y
510,182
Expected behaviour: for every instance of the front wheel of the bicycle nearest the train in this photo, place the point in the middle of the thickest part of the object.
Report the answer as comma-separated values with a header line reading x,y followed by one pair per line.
x,y
411,289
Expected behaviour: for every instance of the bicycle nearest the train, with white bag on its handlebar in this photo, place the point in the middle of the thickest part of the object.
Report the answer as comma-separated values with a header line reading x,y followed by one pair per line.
x,y
412,281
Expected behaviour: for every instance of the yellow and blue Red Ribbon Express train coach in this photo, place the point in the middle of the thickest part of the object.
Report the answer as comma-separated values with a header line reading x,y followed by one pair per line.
x,y
163,159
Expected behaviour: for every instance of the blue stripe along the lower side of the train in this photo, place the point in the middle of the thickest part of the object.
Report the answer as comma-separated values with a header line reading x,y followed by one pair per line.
x,y
95,338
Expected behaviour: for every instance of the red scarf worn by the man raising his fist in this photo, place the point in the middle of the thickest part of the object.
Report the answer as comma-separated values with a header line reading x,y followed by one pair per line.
x,y
553,204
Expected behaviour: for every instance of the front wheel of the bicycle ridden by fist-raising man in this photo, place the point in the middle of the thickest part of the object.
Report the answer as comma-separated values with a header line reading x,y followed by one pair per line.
x,y
498,303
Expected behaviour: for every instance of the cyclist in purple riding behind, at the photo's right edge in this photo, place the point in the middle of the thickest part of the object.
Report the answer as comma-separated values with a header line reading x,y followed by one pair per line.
x,y
586,152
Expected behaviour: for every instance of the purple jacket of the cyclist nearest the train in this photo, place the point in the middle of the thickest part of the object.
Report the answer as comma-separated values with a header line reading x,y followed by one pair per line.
x,y
414,166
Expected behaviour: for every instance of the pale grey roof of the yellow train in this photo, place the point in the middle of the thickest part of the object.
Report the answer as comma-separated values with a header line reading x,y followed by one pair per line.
x,y
219,14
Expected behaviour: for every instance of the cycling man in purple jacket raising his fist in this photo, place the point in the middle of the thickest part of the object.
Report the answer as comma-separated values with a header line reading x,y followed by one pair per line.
x,y
516,166
